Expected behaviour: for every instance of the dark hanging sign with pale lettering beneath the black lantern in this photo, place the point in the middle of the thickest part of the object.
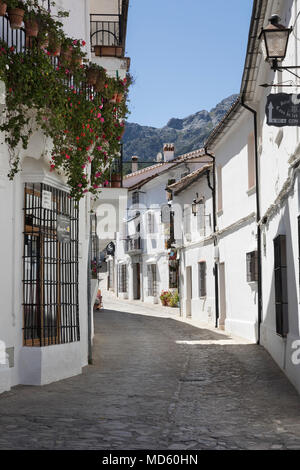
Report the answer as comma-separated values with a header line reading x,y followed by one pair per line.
x,y
283,109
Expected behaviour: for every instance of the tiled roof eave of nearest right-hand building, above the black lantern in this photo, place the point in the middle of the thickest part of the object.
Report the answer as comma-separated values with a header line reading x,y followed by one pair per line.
x,y
249,74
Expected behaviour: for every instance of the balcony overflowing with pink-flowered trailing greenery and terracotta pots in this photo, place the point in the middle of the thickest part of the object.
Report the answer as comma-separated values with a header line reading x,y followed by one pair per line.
x,y
52,88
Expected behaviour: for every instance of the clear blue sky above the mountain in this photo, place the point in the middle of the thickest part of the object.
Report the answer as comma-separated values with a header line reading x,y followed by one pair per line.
x,y
186,55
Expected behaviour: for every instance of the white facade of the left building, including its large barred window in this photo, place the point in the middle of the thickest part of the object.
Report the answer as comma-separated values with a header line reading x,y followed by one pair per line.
x,y
46,312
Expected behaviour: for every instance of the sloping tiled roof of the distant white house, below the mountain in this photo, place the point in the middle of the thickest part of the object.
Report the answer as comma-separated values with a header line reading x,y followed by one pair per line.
x,y
141,177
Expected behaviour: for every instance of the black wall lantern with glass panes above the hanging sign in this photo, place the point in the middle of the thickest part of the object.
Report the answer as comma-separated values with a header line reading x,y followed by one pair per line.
x,y
275,39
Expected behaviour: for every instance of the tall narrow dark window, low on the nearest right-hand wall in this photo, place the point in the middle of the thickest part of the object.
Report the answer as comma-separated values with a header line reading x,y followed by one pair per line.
x,y
281,293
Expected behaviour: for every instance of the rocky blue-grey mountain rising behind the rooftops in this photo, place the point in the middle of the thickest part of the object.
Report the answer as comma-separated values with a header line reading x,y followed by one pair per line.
x,y
187,134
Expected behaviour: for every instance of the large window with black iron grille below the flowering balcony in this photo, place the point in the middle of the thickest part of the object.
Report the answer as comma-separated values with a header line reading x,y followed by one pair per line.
x,y
50,267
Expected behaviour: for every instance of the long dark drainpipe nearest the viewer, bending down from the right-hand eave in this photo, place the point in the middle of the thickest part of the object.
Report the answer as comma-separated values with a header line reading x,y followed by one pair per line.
x,y
259,279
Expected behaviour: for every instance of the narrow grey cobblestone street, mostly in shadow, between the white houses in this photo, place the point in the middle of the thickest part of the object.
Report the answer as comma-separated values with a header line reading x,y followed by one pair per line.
x,y
157,383
